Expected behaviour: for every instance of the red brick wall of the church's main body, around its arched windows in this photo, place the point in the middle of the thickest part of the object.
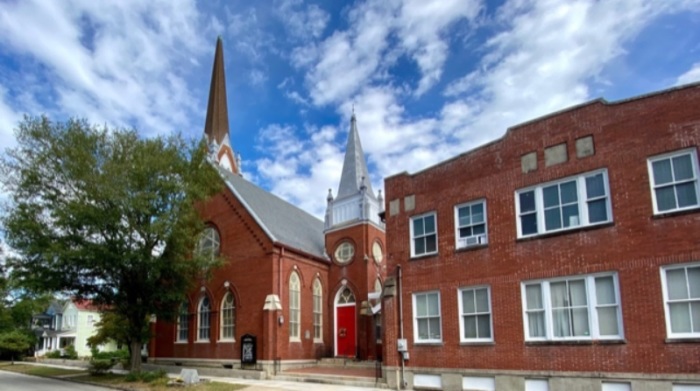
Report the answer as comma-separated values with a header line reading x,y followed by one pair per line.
x,y
252,269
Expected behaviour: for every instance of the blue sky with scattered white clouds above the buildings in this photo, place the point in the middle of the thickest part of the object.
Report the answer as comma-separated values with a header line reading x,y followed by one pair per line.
x,y
427,79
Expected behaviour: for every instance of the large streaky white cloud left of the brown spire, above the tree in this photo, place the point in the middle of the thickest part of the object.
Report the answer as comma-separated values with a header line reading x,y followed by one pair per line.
x,y
119,63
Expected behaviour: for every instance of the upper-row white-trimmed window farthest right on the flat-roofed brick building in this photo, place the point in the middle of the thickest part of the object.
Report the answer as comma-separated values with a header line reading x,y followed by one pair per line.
x,y
674,181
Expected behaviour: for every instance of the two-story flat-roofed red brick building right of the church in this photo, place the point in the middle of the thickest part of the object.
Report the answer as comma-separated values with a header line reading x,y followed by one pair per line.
x,y
563,256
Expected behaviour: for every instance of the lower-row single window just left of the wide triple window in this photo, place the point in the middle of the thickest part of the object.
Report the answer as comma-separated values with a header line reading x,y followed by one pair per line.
x,y
475,314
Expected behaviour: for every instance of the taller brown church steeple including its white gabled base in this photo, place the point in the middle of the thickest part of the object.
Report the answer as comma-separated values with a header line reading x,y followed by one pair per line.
x,y
216,125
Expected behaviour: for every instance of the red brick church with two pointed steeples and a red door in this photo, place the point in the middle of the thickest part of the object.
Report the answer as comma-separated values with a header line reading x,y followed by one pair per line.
x,y
304,288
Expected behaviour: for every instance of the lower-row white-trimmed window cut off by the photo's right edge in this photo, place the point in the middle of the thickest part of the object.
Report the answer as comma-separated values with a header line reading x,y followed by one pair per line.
x,y
681,289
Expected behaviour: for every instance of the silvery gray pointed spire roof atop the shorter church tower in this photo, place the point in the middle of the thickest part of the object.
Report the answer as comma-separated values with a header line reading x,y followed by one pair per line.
x,y
354,166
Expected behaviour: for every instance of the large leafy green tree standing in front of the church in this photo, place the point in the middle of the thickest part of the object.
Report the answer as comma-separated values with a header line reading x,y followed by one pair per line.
x,y
105,215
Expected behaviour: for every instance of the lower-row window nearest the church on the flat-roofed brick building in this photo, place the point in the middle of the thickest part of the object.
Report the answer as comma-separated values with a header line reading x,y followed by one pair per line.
x,y
426,317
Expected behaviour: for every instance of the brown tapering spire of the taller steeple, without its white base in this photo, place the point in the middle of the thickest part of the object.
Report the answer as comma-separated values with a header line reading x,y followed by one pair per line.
x,y
216,124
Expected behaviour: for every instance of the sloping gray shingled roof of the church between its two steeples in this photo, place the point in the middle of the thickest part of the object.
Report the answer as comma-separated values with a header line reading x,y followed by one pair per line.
x,y
283,222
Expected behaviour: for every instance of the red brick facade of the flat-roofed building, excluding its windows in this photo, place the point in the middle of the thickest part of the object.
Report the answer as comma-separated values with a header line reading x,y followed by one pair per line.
x,y
634,245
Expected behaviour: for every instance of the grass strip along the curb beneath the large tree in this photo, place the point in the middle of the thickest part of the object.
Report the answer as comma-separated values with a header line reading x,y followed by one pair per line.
x,y
111,379
